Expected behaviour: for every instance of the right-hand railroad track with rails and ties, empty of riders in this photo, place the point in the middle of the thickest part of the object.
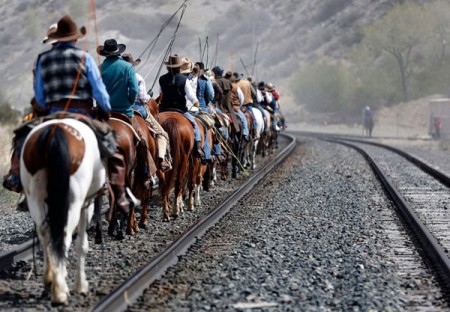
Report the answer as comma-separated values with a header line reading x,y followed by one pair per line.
x,y
420,203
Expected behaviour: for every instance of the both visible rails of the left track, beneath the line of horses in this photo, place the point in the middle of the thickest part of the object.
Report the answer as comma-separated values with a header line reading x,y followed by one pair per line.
x,y
123,294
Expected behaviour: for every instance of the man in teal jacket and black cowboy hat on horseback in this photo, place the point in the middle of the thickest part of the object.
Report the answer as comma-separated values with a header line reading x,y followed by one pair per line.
x,y
121,83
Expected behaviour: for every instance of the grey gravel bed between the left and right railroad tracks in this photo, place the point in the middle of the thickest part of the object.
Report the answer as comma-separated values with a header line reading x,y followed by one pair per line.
x,y
316,235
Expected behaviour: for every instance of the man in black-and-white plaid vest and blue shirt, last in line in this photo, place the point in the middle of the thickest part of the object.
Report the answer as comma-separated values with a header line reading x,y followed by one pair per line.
x,y
57,71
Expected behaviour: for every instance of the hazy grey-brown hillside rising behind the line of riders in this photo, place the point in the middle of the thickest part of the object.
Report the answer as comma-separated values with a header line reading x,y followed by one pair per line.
x,y
287,33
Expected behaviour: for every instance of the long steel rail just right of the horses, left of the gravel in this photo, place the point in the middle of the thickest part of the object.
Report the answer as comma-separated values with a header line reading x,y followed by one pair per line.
x,y
131,289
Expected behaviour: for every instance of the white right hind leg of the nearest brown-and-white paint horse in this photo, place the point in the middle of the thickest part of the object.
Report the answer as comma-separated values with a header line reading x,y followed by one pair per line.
x,y
81,284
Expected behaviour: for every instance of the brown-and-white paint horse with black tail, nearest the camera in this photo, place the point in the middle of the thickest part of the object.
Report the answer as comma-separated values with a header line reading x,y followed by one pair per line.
x,y
61,171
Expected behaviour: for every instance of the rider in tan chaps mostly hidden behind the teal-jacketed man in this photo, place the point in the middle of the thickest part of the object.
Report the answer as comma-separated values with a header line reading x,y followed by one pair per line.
x,y
162,139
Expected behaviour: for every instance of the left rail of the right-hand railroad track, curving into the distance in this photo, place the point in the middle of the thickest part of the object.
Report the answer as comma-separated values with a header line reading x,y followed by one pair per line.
x,y
433,251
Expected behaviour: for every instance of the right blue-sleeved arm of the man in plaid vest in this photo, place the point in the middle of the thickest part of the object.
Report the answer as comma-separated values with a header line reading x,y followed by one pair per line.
x,y
99,92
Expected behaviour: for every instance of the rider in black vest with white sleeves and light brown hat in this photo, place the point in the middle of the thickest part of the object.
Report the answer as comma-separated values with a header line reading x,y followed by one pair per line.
x,y
175,88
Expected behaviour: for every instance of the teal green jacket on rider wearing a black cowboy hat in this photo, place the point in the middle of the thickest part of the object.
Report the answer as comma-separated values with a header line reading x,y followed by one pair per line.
x,y
120,80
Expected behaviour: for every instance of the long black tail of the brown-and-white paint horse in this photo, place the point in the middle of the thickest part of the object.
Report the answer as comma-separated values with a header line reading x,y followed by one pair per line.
x,y
54,145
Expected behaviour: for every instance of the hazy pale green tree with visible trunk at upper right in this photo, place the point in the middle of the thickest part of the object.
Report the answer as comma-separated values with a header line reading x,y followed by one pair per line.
x,y
399,33
